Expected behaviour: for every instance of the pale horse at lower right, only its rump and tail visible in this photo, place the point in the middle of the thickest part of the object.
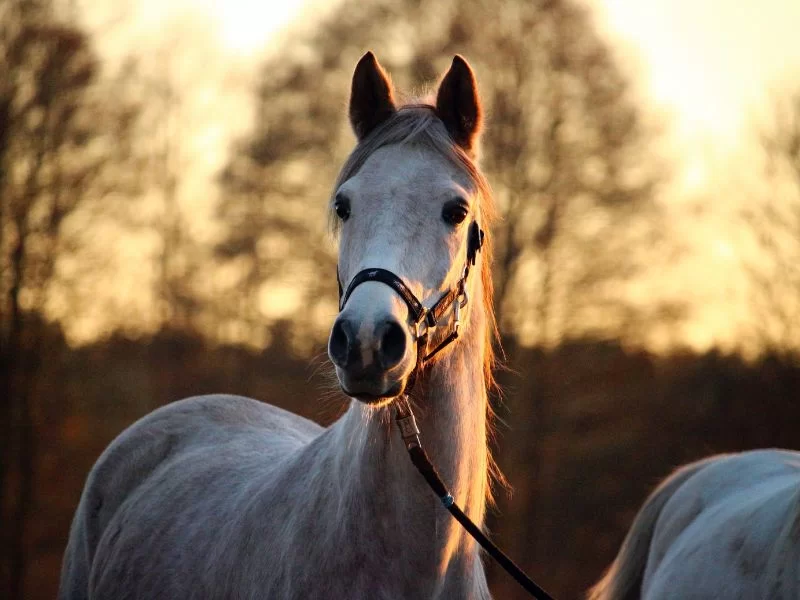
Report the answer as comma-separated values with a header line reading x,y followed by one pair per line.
x,y
725,527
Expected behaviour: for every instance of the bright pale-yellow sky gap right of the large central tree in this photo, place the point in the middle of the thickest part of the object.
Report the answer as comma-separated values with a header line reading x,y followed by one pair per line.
x,y
713,67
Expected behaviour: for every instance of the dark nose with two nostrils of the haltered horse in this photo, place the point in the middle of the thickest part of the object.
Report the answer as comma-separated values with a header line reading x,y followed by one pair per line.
x,y
381,351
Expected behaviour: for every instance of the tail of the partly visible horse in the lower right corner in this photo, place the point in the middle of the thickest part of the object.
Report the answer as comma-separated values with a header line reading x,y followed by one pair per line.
x,y
623,579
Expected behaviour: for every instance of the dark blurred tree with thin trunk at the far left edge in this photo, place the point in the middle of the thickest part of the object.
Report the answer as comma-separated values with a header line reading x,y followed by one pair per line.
x,y
59,141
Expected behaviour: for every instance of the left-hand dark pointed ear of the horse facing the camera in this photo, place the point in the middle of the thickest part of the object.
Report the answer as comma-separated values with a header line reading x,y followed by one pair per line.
x,y
371,98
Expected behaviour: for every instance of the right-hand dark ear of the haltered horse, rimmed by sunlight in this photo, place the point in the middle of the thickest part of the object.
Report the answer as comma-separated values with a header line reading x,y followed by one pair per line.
x,y
458,105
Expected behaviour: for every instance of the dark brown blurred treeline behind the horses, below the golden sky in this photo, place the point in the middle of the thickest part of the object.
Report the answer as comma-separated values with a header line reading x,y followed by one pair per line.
x,y
595,427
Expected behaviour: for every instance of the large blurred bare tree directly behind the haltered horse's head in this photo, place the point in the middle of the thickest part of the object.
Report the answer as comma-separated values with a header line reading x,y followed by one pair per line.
x,y
565,150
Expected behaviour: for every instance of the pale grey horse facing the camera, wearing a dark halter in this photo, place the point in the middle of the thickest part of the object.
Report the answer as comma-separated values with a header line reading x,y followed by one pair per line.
x,y
222,496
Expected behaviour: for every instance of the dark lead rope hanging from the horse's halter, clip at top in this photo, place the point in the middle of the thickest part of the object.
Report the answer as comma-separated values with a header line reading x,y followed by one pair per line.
x,y
410,433
